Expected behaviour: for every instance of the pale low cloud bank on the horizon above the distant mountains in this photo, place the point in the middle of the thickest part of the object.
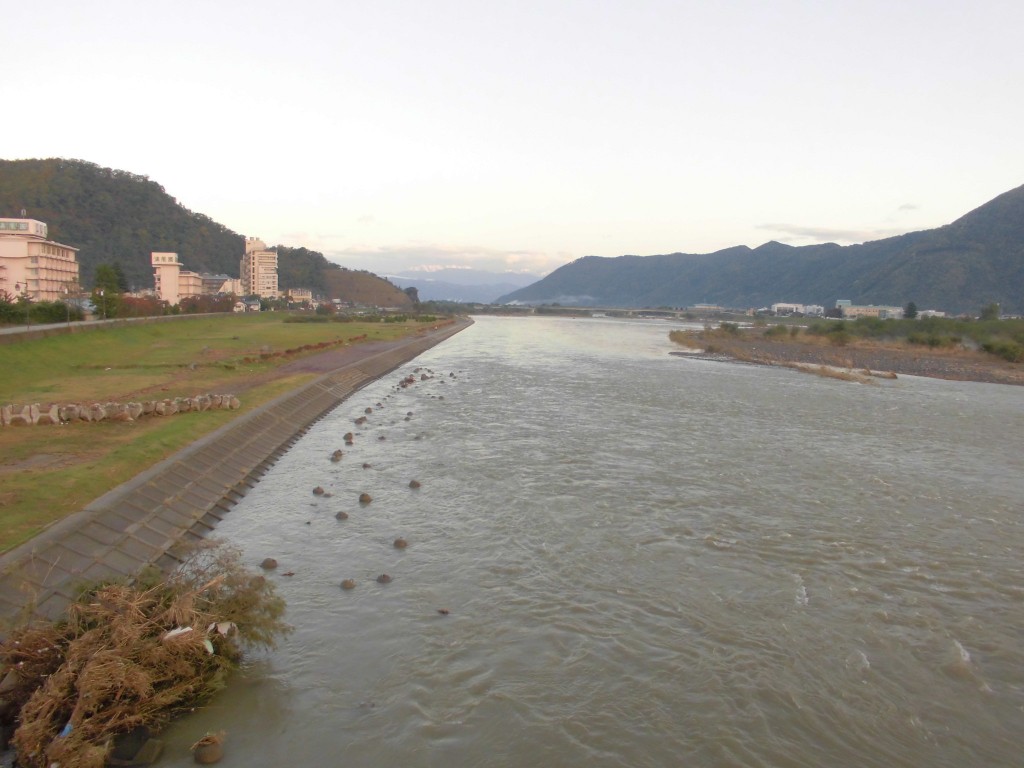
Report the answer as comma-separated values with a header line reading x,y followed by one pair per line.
x,y
389,260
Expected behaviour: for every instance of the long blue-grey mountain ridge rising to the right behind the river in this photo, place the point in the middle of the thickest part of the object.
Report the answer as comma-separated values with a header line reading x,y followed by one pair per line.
x,y
960,268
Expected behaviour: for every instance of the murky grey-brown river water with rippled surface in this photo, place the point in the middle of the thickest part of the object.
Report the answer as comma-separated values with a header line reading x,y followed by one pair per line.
x,y
646,560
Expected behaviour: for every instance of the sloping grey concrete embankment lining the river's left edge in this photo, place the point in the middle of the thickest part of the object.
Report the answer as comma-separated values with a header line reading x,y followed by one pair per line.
x,y
141,523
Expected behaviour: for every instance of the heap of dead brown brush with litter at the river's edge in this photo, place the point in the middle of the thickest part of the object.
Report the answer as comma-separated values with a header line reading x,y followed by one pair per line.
x,y
131,657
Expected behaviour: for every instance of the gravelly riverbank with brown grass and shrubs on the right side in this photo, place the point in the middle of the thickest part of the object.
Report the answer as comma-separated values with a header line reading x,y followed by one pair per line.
x,y
879,358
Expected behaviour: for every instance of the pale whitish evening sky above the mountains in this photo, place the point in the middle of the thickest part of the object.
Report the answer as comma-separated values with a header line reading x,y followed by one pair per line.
x,y
521,136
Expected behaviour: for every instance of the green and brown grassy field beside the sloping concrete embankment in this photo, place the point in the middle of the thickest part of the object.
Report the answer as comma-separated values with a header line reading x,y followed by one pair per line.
x,y
49,473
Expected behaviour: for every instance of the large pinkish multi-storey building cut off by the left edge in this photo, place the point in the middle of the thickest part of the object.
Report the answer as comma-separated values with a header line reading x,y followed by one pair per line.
x,y
34,267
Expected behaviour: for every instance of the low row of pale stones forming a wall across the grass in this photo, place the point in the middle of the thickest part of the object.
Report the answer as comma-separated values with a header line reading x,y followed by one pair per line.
x,y
36,415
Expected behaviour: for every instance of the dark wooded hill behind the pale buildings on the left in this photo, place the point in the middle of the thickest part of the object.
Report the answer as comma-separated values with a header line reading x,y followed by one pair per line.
x,y
117,218
